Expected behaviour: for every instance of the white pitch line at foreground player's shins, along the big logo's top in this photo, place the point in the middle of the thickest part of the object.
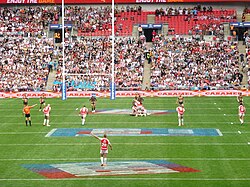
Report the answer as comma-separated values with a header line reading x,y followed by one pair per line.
x,y
118,159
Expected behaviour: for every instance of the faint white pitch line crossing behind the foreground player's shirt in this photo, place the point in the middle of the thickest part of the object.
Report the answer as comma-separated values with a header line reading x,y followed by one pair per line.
x,y
143,143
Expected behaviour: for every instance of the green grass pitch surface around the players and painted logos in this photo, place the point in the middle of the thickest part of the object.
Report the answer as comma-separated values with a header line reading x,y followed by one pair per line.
x,y
222,160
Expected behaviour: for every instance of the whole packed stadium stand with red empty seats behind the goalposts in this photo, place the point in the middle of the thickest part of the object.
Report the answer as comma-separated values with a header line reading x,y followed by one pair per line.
x,y
198,50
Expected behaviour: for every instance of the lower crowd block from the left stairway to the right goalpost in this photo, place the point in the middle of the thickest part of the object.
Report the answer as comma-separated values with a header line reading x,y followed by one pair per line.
x,y
90,58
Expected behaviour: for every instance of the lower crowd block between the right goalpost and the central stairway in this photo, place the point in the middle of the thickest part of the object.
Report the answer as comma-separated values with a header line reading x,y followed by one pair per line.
x,y
129,63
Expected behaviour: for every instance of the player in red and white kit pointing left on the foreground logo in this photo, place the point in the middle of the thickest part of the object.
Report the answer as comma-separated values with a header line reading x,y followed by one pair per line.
x,y
105,143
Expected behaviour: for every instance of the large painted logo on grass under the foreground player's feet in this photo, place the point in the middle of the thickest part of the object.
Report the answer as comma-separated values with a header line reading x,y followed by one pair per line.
x,y
90,169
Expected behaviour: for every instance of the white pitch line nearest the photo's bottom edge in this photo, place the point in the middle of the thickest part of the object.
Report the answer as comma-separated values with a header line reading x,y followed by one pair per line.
x,y
130,179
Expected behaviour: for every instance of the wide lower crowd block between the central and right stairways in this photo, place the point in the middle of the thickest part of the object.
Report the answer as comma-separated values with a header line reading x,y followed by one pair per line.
x,y
181,63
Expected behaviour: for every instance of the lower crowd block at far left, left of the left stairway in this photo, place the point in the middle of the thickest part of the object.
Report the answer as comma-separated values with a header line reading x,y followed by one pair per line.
x,y
24,63
